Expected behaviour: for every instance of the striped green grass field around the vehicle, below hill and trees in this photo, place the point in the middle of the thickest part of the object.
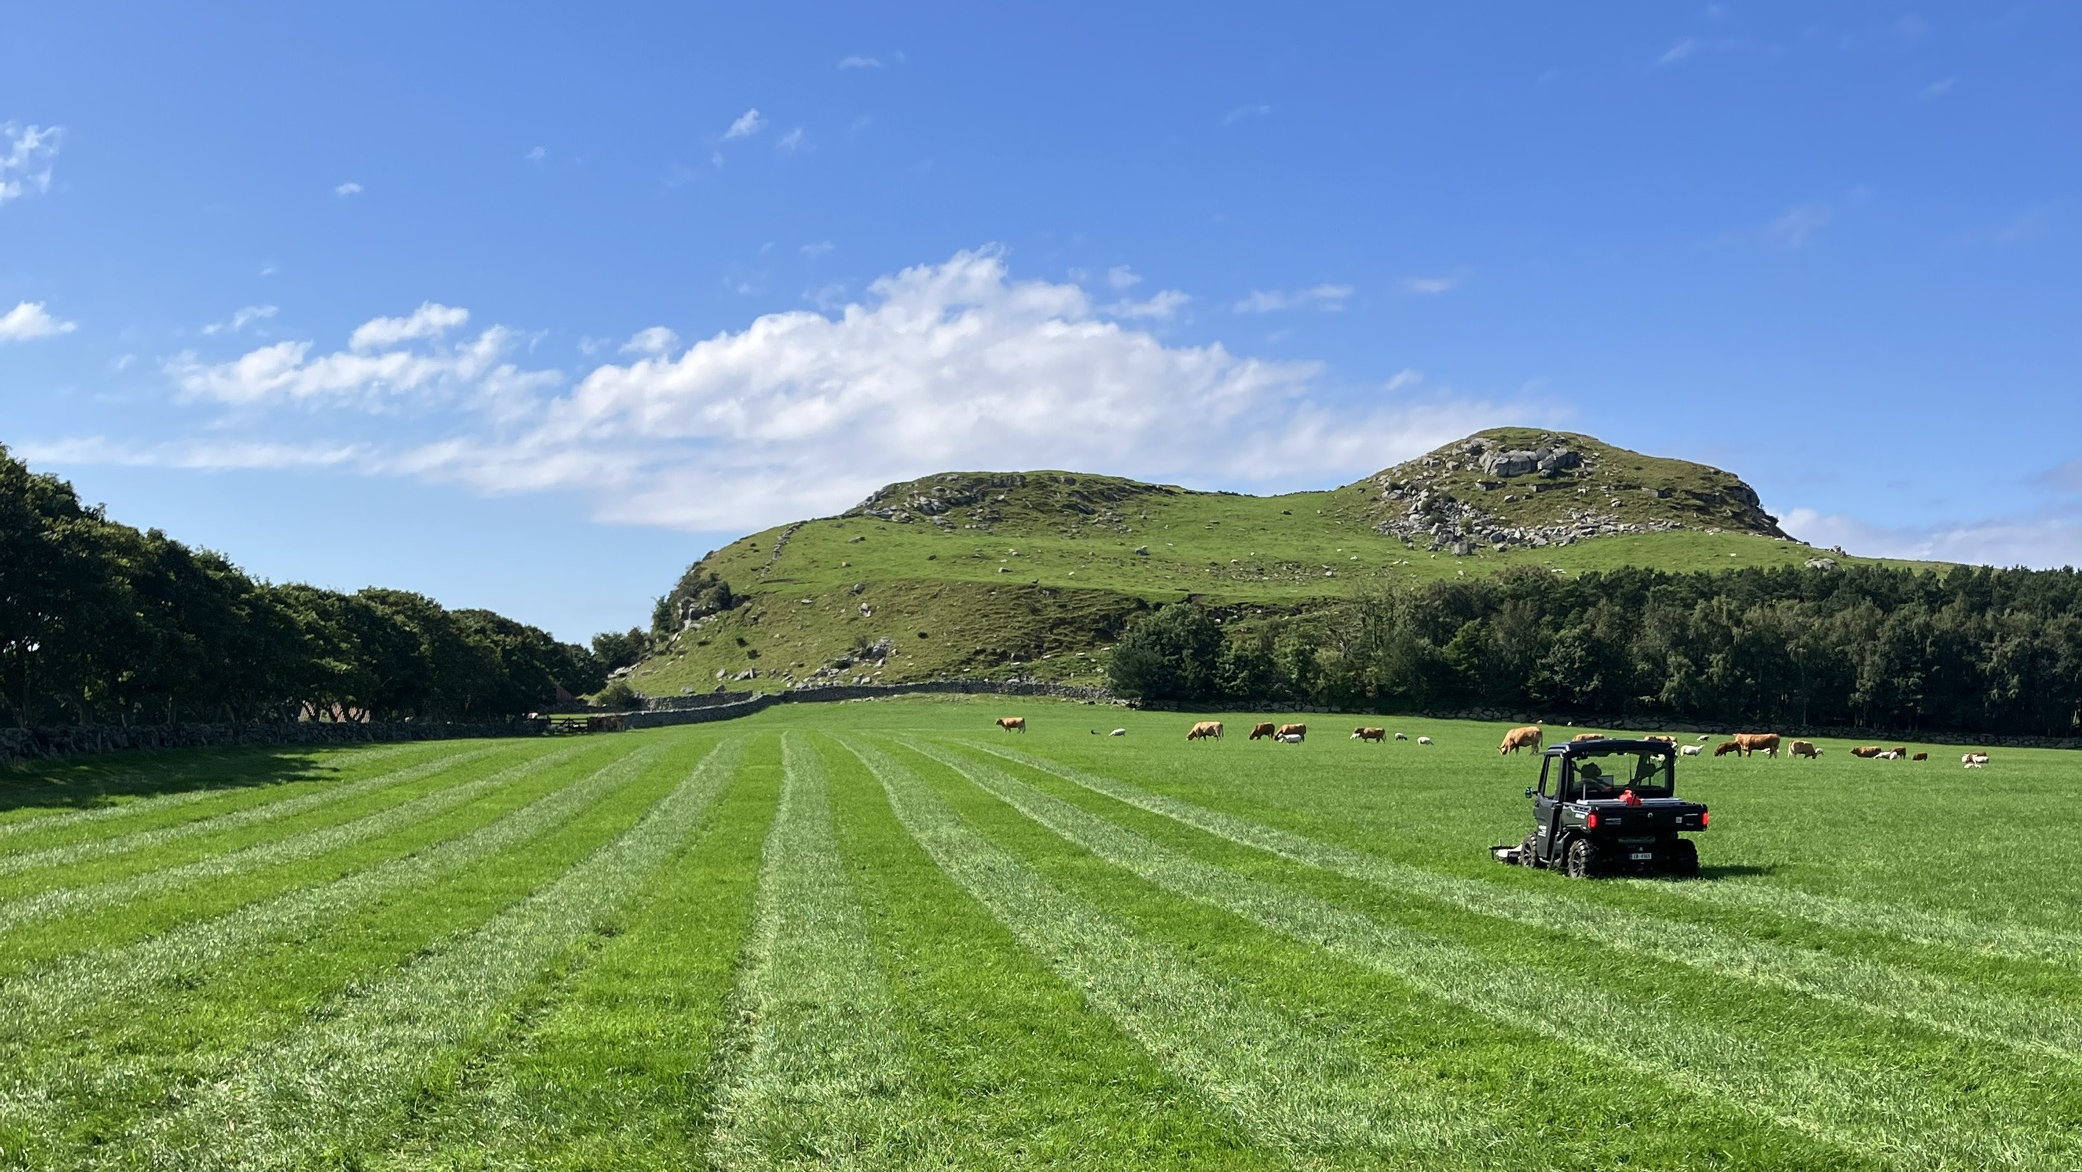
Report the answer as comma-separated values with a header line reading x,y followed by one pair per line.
x,y
890,936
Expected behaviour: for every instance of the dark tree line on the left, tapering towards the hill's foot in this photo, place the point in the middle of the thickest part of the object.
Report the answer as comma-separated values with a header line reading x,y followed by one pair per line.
x,y
103,623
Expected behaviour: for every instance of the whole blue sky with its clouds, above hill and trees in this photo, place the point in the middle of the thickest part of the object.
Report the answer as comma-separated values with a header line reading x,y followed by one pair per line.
x,y
530,309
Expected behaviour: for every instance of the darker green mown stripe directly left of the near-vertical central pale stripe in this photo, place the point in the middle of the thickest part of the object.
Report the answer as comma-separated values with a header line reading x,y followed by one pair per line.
x,y
615,1071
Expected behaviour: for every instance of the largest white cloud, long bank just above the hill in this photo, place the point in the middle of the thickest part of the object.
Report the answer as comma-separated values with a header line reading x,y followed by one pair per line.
x,y
938,367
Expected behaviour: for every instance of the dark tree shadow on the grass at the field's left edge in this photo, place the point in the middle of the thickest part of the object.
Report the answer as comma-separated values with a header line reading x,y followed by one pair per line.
x,y
109,780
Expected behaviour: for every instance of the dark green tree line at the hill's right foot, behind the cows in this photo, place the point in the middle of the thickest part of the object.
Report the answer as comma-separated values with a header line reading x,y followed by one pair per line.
x,y
1971,648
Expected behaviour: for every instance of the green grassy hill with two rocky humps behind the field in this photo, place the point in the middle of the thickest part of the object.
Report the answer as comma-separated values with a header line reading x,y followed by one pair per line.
x,y
1036,574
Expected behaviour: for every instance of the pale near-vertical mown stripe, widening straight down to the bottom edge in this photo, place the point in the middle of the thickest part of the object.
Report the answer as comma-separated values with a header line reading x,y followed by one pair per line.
x,y
819,1069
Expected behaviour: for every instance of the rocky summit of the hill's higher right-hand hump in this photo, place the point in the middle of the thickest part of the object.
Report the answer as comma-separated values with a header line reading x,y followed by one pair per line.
x,y
1517,488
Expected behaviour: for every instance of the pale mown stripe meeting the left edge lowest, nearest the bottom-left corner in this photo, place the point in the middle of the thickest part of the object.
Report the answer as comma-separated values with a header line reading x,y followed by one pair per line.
x,y
41,1002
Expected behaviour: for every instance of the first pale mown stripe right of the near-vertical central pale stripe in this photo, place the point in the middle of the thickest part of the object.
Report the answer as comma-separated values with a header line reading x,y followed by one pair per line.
x,y
1292,1084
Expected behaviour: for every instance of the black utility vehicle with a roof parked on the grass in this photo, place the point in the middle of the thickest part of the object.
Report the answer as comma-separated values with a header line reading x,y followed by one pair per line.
x,y
1610,809
